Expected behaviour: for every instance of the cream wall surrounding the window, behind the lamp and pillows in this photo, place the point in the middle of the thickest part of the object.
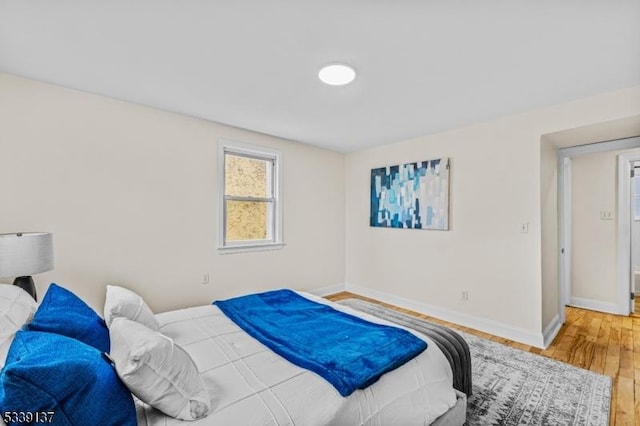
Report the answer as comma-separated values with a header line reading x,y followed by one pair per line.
x,y
129,193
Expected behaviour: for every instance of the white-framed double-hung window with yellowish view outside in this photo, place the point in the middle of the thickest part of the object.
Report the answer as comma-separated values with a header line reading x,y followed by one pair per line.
x,y
251,217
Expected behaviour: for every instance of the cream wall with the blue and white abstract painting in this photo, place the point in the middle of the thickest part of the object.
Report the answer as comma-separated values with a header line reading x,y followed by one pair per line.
x,y
496,170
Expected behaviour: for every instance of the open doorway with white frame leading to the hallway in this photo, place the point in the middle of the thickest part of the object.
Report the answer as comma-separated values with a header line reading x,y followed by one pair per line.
x,y
611,293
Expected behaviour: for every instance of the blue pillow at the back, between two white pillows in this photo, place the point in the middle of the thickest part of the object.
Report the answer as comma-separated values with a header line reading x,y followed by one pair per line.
x,y
62,312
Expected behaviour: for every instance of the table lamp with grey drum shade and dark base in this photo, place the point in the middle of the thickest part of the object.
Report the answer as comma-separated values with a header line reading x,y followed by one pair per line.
x,y
24,254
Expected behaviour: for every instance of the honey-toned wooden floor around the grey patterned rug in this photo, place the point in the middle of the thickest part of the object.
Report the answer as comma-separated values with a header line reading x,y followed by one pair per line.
x,y
603,343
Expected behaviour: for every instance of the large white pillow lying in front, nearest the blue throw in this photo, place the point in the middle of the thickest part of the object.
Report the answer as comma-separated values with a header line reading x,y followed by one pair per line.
x,y
158,371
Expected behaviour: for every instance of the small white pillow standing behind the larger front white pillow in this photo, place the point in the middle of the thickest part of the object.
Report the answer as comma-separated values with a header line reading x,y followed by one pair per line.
x,y
122,302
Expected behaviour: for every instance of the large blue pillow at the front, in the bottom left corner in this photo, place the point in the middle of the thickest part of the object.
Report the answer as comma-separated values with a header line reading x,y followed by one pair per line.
x,y
48,372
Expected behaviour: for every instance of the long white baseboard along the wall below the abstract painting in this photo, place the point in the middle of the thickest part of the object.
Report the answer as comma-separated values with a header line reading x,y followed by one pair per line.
x,y
495,328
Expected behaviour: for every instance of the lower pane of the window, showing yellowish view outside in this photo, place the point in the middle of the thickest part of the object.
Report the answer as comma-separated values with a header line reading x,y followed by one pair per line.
x,y
248,220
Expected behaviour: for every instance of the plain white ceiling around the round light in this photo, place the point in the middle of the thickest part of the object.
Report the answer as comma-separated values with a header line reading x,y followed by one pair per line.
x,y
423,66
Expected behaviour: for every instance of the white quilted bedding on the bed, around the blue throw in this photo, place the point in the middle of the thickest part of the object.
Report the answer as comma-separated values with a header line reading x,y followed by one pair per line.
x,y
250,385
